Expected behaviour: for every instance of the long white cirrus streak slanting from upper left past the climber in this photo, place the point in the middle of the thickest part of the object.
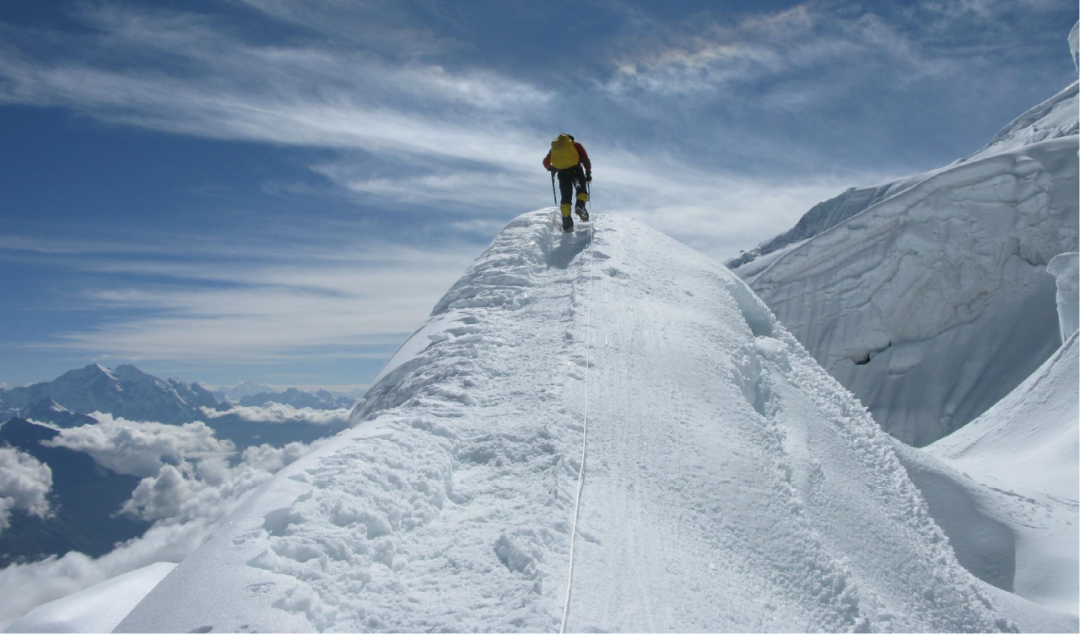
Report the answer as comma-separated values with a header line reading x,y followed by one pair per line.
x,y
407,134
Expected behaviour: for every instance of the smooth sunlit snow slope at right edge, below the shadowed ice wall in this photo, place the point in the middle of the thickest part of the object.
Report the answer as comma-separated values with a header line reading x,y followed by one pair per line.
x,y
1029,448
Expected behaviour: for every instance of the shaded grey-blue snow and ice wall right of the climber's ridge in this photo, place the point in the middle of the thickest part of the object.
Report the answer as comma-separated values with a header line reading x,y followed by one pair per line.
x,y
935,304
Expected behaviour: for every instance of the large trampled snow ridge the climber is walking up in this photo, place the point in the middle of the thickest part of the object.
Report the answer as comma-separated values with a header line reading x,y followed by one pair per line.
x,y
731,484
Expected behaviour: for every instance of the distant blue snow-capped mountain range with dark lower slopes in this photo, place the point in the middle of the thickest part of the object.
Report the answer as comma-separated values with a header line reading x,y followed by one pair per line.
x,y
86,497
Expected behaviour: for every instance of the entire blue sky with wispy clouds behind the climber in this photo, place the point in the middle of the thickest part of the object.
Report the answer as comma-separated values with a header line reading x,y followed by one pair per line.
x,y
280,191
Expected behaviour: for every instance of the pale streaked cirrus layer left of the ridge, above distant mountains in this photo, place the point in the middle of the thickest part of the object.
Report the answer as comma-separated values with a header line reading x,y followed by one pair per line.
x,y
352,299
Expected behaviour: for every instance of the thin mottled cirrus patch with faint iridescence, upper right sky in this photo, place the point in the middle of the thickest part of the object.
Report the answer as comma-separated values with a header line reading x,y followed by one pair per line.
x,y
766,53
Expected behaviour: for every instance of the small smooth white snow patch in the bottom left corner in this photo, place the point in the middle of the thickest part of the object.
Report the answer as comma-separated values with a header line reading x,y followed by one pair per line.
x,y
96,611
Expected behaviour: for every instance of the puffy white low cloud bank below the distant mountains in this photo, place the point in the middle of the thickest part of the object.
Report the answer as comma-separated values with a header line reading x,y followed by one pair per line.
x,y
188,490
